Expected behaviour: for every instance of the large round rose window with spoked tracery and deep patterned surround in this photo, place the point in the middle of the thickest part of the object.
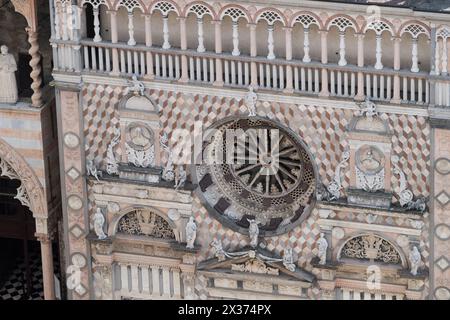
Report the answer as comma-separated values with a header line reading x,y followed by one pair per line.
x,y
255,168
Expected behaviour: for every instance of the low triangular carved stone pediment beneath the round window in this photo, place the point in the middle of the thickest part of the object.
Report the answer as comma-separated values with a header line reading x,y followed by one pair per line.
x,y
260,262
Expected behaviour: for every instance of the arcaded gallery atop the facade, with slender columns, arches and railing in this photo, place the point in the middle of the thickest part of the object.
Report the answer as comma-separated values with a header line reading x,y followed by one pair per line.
x,y
240,65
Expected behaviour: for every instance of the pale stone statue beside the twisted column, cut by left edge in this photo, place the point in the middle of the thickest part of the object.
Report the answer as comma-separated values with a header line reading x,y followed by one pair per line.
x,y
8,67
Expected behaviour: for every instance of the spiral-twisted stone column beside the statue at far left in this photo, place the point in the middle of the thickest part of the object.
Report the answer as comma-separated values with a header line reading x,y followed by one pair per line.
x,y
35,75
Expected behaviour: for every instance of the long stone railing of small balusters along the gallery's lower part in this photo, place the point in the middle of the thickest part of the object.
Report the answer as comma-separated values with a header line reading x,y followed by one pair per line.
x,y
292,76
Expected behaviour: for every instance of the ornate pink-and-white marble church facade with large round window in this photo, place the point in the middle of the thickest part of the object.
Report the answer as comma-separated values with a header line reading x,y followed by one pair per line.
x,y
251,149
